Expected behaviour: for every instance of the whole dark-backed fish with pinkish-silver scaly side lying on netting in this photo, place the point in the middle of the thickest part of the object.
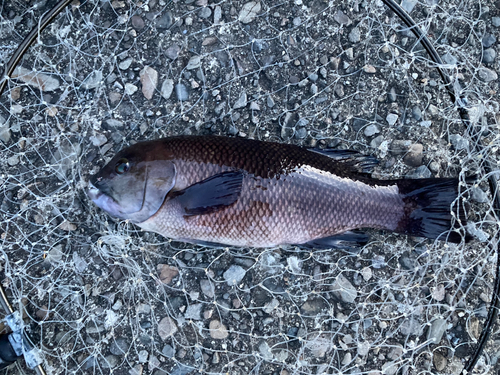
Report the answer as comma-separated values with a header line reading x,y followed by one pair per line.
x,y
224,191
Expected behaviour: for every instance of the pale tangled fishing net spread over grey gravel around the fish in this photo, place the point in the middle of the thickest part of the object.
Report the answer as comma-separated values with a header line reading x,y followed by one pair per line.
x,y
100,296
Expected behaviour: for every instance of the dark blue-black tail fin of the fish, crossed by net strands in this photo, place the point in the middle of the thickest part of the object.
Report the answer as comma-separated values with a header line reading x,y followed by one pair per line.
x,y
428,209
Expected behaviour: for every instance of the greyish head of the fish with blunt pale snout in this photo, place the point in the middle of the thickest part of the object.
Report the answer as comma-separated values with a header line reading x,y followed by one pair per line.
x,y
134,184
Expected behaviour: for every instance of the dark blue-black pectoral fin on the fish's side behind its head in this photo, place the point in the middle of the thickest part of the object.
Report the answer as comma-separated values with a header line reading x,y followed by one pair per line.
x,y
210,195
